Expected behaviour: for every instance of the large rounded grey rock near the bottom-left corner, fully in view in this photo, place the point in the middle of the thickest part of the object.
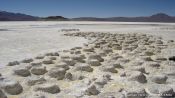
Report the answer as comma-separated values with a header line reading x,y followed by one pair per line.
x,y
12,87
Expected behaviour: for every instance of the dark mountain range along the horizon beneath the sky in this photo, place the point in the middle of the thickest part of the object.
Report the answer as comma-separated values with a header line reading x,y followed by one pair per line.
x,y
160,17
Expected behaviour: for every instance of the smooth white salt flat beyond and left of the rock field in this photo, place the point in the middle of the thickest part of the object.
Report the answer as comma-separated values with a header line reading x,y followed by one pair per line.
x,y
27,39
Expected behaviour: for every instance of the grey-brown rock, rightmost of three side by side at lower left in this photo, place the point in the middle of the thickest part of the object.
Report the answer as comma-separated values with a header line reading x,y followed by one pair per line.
x,y
58,73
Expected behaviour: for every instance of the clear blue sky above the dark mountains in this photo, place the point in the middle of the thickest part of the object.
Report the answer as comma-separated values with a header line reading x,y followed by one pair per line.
x,y
91,8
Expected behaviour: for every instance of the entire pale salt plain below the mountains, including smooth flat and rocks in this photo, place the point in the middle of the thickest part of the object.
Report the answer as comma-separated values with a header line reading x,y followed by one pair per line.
x,y
51,59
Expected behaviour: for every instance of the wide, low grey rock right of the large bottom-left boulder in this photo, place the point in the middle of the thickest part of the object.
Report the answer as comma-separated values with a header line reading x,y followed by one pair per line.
x,y
49,88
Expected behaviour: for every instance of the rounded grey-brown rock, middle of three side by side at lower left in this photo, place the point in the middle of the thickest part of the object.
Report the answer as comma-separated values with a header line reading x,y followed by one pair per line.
x,y
38,70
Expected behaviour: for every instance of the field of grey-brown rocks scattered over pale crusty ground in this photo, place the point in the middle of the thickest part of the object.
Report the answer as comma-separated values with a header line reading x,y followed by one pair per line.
x,y
110,66
